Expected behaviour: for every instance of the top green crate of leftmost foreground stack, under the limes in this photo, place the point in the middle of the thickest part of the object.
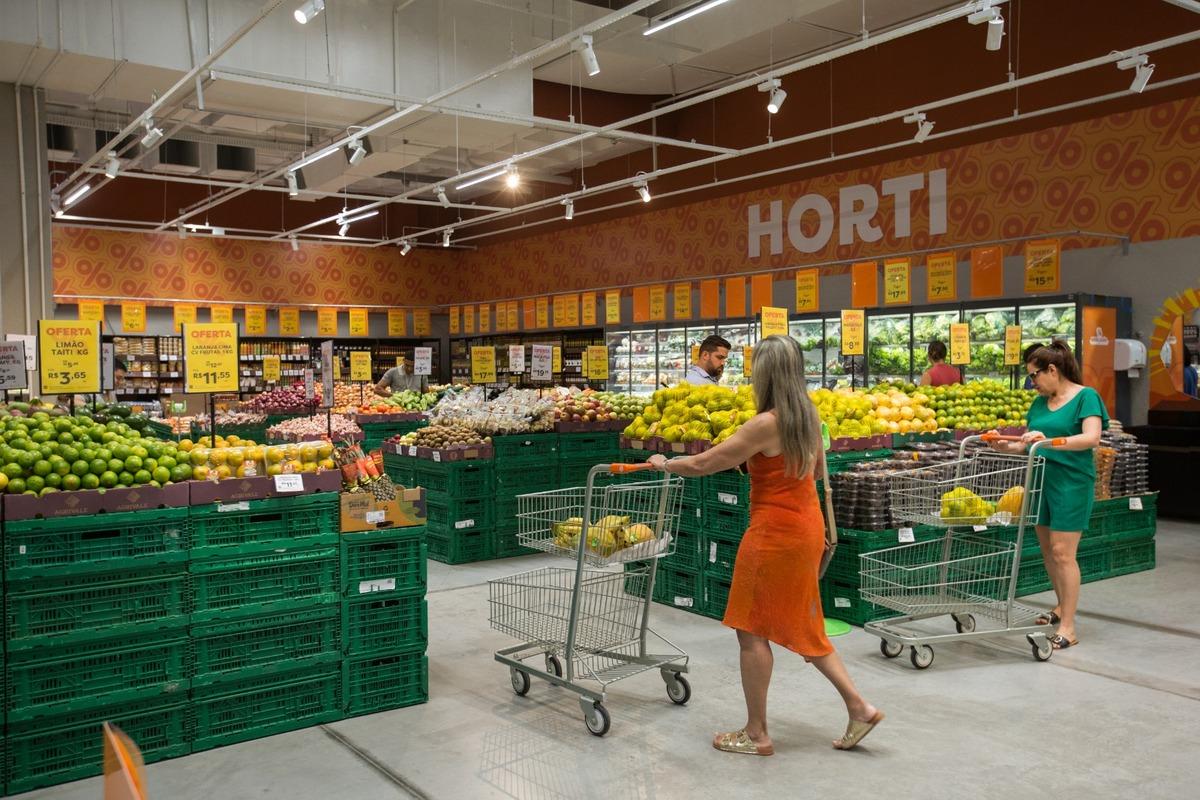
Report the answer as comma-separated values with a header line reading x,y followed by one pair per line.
x,y
67,546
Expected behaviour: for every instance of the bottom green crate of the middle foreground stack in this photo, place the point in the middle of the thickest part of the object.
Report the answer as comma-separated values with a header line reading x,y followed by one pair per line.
x,y
254,708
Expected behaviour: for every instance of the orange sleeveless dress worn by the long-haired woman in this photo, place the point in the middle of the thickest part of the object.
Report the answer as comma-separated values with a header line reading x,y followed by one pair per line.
x,y
775,593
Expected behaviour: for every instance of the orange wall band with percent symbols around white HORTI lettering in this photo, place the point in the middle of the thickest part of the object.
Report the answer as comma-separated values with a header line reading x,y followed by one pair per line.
x,y
1136,172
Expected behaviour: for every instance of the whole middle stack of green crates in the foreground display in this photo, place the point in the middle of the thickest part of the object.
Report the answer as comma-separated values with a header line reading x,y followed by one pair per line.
x,y
266,619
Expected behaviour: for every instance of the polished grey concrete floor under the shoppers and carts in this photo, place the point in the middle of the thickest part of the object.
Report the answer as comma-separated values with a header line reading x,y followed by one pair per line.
x,y
1115,718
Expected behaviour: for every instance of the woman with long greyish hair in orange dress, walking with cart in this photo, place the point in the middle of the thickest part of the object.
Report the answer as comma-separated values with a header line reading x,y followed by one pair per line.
x,y
775,597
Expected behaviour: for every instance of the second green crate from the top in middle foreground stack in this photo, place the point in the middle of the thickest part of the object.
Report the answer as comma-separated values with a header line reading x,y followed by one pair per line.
x,y
263,585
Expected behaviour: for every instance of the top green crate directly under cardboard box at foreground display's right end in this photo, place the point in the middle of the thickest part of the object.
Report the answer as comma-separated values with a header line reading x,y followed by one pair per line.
x,y
392,561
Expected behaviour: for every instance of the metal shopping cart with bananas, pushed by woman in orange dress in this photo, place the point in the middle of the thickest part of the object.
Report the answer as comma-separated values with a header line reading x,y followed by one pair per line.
x,y
590,623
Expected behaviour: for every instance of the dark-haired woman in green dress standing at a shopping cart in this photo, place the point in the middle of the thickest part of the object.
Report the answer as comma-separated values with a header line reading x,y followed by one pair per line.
x,y
1064,410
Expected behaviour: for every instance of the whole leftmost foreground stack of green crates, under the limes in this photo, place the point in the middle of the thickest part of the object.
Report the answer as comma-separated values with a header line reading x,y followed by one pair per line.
x,y
97,619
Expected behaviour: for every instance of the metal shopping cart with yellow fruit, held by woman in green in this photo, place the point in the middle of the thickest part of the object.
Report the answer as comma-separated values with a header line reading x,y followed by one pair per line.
x,y
970,572
